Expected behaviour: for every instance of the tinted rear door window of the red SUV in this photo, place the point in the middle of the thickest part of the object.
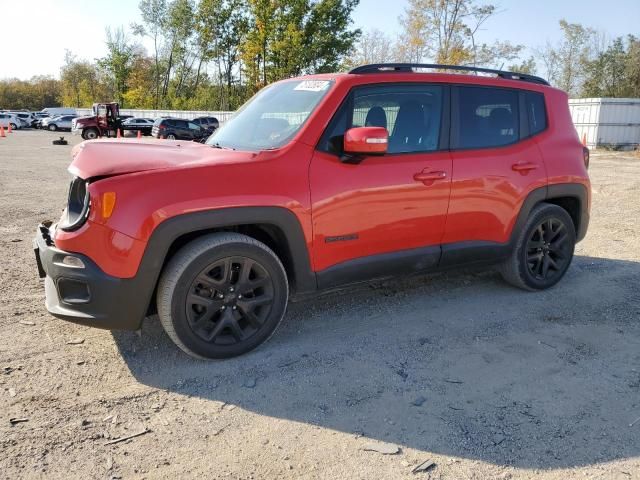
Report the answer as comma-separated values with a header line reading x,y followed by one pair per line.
x,y
485,117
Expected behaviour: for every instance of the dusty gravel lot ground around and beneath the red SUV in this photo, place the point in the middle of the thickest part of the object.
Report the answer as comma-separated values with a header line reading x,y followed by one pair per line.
x,y
484,380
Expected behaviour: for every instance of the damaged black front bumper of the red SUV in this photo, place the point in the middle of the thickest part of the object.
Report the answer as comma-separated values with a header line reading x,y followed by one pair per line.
x,y
87,295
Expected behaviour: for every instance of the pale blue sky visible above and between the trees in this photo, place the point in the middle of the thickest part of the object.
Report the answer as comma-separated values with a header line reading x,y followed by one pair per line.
x,y
37,32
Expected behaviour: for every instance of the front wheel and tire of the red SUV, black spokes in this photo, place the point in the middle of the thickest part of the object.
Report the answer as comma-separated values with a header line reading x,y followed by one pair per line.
x,y
222,295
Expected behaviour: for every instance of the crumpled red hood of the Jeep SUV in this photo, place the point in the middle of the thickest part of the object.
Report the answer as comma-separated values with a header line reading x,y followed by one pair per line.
x,y
108,157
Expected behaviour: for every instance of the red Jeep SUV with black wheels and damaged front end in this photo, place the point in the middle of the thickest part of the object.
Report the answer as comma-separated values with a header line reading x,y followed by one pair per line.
x,y
316,182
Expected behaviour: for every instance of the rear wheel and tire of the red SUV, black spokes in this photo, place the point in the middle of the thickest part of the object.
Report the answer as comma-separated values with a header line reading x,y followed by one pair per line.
x,y
543,250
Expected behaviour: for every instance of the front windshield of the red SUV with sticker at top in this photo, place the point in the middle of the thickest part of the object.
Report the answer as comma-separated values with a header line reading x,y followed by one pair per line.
x,y
272,117
